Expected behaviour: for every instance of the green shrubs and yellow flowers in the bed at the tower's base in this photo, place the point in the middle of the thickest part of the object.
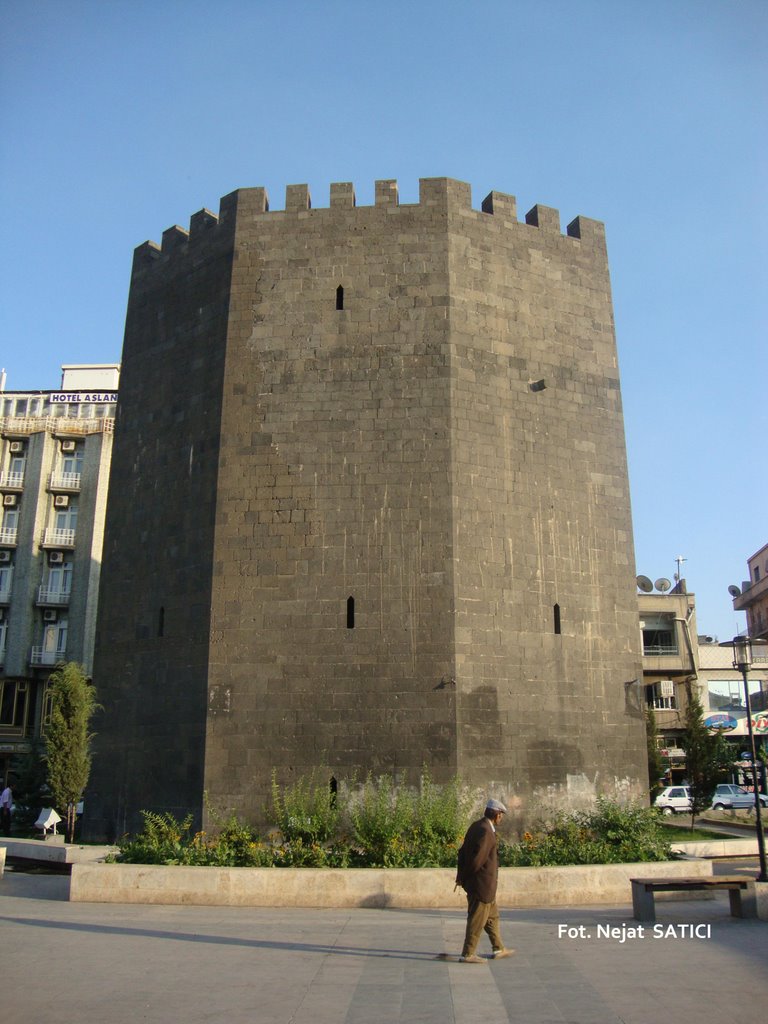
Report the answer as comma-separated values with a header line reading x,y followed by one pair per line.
x,y
386,826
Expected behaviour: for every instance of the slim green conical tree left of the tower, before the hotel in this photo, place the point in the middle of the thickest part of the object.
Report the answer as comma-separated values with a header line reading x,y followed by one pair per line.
x,y
68,741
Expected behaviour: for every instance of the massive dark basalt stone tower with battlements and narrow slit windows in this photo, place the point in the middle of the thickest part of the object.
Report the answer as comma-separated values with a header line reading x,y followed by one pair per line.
x,y
369,508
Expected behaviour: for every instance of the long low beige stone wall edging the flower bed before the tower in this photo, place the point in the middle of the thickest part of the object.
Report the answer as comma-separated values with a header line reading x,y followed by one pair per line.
x,y
401,888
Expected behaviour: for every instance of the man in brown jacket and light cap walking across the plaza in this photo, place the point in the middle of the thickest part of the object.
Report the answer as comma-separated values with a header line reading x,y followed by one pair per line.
x,y
479,877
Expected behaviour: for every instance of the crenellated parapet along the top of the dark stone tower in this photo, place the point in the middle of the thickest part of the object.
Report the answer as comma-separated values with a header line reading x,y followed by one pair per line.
x,y
436,195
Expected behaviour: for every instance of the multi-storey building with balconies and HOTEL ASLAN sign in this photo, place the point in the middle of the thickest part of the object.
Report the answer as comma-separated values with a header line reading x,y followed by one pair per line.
x,y
56,448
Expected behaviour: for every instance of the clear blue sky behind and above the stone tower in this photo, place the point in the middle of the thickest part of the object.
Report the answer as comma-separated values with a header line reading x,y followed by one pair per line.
x,y
120,119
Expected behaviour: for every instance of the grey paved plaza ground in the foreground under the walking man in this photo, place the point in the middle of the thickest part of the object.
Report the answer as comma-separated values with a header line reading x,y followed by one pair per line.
x,y
87,964
